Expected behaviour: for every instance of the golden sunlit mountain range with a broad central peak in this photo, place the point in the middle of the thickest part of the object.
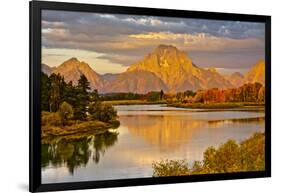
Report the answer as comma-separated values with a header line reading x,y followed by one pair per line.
x,y
165,68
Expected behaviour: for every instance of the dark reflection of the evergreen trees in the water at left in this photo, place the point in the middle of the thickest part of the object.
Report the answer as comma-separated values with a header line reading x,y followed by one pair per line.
x,y
76,153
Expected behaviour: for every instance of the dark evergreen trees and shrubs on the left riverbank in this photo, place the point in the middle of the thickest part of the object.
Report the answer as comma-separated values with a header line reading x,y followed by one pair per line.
x,y
70,109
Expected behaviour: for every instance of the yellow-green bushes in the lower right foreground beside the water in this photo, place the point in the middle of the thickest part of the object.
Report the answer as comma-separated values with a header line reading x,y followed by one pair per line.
x,y
227,158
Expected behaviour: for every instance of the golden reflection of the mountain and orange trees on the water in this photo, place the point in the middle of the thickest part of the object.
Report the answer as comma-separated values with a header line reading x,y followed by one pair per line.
x,y
169,133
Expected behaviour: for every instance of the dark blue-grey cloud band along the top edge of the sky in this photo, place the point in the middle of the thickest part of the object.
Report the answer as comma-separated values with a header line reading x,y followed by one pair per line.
x,y
127,24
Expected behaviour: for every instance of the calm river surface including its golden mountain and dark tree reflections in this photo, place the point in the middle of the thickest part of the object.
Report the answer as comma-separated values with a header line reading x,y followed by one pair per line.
x,y
147,133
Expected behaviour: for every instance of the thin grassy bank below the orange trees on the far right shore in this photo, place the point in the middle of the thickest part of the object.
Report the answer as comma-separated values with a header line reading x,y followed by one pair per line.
x,y
228,105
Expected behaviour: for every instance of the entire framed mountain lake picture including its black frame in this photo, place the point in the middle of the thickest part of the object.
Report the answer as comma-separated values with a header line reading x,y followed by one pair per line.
x,y
126,96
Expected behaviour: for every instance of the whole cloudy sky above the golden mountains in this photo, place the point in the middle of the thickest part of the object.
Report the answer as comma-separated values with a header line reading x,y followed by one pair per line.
x,y
109,43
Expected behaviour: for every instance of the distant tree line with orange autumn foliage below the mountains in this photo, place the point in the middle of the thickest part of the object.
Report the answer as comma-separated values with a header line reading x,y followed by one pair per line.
x,y
250,92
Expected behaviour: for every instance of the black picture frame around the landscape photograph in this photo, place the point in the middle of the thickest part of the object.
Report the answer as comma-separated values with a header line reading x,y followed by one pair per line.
x,y
35,184
